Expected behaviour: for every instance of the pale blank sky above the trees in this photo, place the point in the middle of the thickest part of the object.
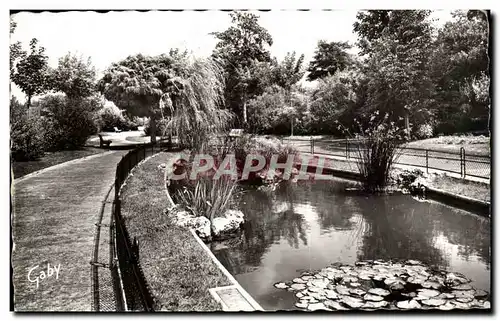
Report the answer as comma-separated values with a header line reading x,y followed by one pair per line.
x,y
110,37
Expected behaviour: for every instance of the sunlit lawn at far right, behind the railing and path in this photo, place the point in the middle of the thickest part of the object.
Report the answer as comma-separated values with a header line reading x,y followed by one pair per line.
x,y
471,144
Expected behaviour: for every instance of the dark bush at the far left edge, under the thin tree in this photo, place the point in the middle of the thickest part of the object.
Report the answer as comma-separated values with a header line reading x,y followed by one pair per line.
x,y
25,133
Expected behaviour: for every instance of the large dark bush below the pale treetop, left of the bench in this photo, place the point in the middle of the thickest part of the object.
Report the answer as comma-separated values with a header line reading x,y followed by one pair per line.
x,y
69,122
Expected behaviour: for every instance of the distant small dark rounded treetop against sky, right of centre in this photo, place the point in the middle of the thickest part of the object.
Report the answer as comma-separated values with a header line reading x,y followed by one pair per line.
x,y
329,58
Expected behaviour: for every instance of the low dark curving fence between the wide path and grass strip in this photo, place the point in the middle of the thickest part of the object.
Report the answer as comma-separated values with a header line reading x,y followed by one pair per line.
x,y
126,288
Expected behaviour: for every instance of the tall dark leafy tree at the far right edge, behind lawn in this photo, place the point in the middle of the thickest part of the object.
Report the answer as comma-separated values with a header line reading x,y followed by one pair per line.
x,y
460,70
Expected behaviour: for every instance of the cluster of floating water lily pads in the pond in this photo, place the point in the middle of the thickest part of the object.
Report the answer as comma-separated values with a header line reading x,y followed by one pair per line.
x,y
372,285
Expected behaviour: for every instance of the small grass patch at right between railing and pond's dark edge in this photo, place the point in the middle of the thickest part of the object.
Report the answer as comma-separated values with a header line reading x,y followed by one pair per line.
x,y
475,190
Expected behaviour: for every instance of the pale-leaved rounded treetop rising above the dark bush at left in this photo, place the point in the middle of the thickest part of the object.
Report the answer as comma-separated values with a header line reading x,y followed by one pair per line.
x,y
74,76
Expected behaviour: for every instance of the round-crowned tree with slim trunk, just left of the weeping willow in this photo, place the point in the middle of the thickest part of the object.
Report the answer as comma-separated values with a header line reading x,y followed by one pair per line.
x,y
137,83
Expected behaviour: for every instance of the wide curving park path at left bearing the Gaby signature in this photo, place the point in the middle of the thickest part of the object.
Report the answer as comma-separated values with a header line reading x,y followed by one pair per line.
x,y
53,223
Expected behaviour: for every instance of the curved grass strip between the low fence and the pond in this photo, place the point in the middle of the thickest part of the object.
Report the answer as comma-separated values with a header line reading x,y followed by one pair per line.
x,y
176,267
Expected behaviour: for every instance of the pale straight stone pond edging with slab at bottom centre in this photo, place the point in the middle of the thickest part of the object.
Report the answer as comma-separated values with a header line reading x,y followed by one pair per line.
x,y
244,294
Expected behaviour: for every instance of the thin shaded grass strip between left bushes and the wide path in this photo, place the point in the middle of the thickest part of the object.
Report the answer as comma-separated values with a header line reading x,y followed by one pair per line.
x,y
50,159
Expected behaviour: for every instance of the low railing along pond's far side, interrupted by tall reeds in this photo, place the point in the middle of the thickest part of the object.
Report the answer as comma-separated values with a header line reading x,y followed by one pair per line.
x,y
460,162
